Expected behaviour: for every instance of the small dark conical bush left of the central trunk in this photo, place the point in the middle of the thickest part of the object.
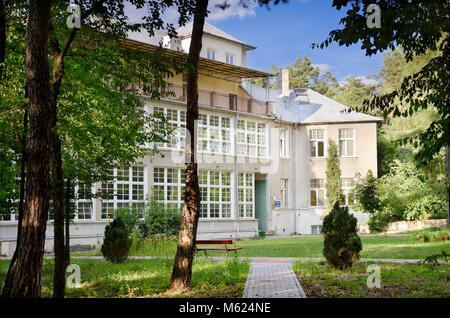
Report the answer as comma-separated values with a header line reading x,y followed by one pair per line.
x,y
117,243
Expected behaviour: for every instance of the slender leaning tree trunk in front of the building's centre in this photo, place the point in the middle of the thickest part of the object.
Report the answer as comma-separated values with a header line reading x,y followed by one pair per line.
x,y
182,267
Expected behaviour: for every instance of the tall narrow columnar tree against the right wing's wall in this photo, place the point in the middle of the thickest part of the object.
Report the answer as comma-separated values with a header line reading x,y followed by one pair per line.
x,y
333,173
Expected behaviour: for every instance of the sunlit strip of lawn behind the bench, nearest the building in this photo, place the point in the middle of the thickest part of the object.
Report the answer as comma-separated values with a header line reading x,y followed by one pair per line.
x,y
311,246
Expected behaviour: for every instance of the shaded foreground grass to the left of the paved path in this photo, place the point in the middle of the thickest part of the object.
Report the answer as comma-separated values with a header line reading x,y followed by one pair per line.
x,y
146,278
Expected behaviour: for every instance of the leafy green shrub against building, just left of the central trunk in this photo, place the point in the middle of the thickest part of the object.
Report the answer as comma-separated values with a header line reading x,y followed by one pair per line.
x,y
160,220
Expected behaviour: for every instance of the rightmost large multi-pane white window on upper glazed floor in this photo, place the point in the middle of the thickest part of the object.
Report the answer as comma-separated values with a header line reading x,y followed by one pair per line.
x,y
252,139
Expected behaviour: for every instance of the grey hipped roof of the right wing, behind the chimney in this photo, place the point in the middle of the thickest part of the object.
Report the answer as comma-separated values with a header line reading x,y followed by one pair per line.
x,y
306,106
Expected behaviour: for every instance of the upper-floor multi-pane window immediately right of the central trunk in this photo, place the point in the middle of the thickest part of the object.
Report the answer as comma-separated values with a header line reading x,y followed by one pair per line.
x,y
214,134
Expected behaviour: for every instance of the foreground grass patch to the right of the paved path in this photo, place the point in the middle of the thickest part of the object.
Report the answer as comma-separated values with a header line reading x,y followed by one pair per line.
x,y
320,280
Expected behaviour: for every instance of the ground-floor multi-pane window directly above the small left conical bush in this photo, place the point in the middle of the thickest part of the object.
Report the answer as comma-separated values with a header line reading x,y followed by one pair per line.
x,y
126,190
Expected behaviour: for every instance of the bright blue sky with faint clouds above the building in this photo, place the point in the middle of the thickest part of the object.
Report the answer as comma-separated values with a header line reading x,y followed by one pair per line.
x,y
287,31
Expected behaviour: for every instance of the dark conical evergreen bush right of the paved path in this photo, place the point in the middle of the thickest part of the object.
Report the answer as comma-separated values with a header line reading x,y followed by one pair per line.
x,y
341,241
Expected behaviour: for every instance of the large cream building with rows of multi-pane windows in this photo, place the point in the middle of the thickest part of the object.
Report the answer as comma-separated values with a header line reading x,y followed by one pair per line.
x,y
261,152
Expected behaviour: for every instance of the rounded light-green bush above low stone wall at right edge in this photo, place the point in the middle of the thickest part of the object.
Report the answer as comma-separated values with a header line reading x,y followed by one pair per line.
x,y
426,208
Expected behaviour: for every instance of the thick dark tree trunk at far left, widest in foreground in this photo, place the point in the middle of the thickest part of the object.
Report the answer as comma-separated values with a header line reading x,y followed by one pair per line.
x,y
26,278
